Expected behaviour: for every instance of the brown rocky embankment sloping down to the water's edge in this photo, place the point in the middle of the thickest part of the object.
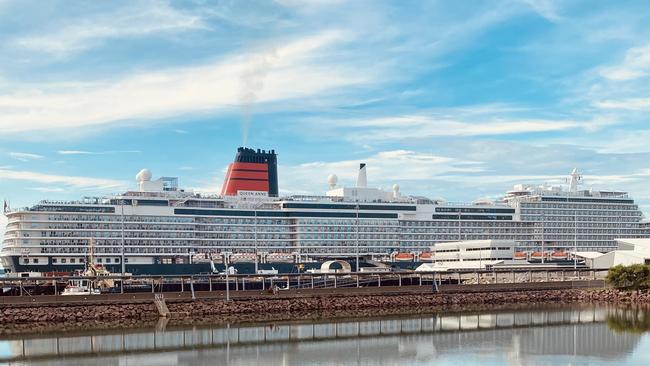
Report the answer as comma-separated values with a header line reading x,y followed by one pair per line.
x,y
290,308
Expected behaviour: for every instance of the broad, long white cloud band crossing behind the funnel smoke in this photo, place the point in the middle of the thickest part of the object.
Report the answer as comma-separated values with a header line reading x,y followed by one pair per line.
x,y
150,96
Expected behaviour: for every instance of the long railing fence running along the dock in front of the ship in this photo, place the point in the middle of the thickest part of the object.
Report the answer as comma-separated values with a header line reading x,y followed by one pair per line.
x,y
35,286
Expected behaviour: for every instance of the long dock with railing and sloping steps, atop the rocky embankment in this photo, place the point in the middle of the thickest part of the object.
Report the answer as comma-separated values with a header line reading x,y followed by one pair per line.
x,y
161,289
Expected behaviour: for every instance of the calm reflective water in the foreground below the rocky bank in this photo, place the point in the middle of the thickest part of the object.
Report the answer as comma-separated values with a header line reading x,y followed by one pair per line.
x,y
564,336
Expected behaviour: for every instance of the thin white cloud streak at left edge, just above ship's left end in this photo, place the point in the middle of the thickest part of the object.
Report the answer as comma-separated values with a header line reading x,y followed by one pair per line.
x,y
74,181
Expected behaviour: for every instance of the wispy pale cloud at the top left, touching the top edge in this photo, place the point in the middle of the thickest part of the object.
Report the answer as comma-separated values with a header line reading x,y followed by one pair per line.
x,y
138,19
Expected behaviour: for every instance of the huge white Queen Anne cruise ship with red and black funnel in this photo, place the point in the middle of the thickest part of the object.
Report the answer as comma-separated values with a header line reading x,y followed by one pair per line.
x,y
161,229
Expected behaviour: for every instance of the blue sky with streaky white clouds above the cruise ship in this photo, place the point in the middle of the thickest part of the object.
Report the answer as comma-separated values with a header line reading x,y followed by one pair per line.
x,y
458,100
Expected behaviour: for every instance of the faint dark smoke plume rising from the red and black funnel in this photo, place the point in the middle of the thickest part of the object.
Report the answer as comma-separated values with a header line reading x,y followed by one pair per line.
x,y
252,84
